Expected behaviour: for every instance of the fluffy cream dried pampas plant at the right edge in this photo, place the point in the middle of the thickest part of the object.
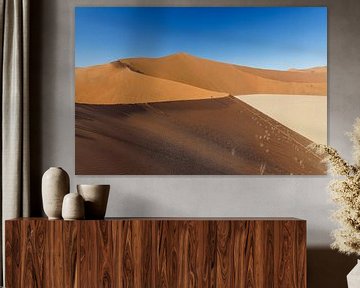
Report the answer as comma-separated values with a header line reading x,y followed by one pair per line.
x,y
345,192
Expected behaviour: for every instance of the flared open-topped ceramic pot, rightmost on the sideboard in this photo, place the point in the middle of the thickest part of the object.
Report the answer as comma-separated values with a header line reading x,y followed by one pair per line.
x,y
95,197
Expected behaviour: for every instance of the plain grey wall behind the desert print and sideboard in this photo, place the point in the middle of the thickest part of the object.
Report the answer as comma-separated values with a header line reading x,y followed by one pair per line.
x,y
52,124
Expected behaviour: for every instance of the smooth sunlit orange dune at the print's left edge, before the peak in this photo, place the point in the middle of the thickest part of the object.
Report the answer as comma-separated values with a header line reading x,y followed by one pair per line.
x,y
115,83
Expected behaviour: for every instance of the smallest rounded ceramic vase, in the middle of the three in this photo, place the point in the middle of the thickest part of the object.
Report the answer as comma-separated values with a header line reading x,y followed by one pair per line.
x,y
73,207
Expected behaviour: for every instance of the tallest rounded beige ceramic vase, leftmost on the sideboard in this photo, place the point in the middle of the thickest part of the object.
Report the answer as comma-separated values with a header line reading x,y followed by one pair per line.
x,y
55,185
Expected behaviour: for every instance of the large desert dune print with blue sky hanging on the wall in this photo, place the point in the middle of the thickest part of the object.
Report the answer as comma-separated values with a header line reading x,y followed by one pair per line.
x,y
200,90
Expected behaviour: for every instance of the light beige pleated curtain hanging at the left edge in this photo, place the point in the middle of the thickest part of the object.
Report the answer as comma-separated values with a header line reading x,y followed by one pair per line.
x,y
14,27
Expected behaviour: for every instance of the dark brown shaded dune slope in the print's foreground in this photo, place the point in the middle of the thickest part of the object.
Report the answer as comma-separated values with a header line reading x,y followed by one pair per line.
x,y
218,136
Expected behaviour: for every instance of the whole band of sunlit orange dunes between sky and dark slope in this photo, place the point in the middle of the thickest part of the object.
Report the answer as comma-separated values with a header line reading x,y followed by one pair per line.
x,y
182,76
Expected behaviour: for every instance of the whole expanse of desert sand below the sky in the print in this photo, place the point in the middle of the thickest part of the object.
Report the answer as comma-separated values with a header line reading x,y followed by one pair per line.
x,y
176,115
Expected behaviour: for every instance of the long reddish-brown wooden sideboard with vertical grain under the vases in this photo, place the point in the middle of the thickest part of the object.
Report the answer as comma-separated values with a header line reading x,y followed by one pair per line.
x,y
156,252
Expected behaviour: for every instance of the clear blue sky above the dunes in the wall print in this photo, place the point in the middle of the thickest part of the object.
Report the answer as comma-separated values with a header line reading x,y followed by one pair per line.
x,y
274,38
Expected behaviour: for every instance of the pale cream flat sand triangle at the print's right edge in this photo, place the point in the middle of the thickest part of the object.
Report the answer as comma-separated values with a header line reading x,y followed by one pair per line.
x,y
307,115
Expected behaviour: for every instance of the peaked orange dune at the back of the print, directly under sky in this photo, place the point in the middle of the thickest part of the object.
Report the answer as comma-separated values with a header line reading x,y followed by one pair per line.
x,y
229,78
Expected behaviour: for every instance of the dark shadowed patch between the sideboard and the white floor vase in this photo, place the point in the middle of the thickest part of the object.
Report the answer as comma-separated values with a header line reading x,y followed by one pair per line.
x,y
328,268
